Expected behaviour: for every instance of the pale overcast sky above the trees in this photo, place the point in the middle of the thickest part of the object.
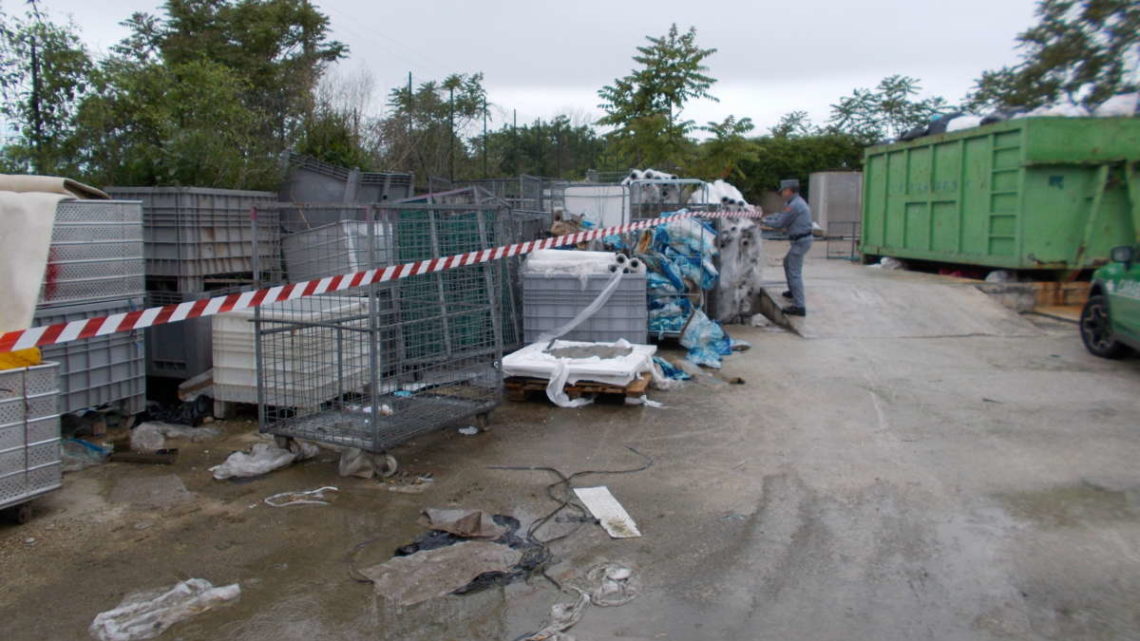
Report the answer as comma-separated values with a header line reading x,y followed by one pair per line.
x,y
543,58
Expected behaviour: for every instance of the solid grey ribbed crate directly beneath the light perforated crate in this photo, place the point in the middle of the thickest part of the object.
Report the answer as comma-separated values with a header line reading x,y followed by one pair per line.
x,y
102,370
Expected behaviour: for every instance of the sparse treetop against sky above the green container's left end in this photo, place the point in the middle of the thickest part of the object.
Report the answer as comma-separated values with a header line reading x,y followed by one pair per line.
x,y
885,112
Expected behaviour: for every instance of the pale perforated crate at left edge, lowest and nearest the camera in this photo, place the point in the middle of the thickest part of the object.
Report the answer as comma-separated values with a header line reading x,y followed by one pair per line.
x,y
30,459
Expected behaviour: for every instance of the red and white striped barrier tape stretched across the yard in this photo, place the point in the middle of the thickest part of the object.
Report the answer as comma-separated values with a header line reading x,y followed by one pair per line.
x,y
91,328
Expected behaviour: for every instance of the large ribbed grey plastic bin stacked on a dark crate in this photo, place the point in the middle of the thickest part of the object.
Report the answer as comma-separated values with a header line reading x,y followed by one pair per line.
x,y
194,232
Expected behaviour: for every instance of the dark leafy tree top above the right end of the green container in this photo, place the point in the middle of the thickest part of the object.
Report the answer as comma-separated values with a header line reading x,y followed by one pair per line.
x,y
1085,51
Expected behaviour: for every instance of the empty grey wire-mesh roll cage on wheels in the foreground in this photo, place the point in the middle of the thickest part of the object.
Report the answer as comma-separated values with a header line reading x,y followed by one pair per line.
x,y
377,366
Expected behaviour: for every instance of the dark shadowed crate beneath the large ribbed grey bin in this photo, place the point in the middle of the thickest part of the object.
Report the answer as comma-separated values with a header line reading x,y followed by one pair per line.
x,y
178,351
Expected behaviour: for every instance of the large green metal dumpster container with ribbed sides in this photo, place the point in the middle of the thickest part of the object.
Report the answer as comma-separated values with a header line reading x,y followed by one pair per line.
x,y
1038,193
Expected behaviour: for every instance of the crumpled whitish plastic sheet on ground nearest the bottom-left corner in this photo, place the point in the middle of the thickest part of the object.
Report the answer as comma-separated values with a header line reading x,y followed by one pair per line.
x,y
148,615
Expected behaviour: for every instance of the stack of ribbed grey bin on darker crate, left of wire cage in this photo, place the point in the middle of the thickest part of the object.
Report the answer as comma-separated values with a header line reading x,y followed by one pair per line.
x,y
198,242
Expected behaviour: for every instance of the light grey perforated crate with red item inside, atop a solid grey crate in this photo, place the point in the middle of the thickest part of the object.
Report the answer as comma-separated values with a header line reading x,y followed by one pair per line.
x,y
96,254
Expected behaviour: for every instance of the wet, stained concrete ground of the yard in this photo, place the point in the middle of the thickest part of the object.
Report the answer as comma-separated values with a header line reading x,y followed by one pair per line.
x,y
924,465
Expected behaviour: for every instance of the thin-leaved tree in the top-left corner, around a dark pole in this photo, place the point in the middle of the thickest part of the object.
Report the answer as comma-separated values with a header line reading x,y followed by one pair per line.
x,y
44,74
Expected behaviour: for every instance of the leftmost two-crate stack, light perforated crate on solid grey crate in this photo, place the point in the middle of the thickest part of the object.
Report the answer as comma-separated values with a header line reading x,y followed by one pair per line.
x,y
96,269
